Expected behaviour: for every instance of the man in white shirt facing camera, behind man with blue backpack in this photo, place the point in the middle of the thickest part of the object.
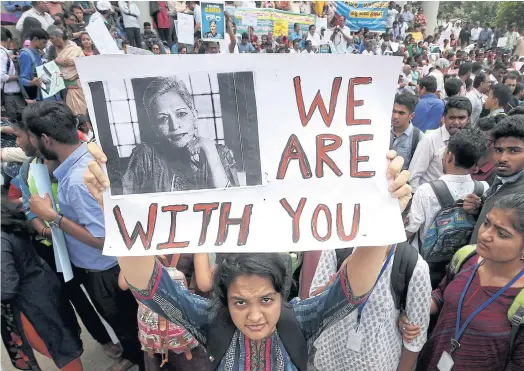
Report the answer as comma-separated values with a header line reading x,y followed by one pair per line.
x,y
426,164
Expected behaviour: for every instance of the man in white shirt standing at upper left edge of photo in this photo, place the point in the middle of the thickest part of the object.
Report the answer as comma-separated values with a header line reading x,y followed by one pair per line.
x,y
13,100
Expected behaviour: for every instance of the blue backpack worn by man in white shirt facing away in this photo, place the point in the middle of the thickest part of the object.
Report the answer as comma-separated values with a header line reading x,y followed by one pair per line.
x,y
450,230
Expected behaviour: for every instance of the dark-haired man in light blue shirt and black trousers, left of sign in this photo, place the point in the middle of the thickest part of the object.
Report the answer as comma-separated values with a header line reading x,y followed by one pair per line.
x,y
52,129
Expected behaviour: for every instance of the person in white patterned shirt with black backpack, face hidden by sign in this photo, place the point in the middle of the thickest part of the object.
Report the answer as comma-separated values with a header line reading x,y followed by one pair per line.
x,y
368,338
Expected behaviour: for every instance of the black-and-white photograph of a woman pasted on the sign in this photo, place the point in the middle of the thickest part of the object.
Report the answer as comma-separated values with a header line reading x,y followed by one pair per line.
x,y
179,133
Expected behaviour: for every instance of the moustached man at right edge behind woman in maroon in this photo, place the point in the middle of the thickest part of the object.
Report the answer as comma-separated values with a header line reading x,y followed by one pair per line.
x,y
508,141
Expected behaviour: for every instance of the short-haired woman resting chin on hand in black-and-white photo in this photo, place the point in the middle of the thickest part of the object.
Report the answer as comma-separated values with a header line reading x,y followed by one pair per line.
x,y
172,155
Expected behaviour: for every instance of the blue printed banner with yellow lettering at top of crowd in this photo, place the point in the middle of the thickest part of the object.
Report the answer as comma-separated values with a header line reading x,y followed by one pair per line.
x,y
360,14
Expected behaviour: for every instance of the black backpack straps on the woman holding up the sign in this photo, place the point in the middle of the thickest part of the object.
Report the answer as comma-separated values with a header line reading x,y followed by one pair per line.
x,y
223,329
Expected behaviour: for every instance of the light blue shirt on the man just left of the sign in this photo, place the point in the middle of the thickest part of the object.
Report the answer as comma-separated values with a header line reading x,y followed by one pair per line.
x,y
77,204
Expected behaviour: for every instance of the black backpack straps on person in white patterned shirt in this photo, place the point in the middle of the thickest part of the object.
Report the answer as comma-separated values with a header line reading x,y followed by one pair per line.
x,y
404,264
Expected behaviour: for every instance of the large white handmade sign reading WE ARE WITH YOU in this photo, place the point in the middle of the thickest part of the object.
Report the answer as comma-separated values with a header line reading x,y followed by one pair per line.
x,y
222,157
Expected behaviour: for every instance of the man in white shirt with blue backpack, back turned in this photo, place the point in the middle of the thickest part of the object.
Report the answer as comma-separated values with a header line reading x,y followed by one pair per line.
x,y
437,220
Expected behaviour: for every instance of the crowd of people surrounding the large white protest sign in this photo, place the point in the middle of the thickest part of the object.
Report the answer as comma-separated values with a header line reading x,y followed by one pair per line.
x,y
449,298
